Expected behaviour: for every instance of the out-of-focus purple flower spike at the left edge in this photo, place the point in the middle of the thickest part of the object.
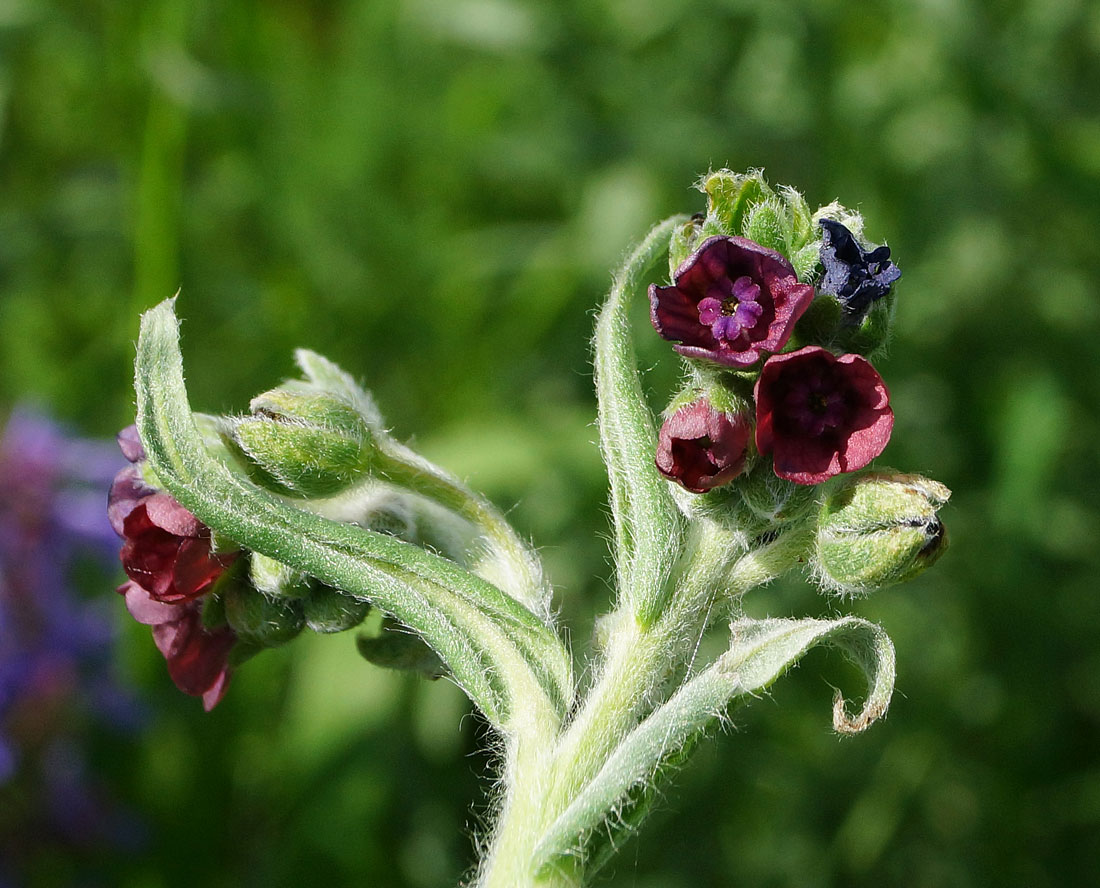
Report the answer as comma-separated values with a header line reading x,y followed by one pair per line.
x,y
57,674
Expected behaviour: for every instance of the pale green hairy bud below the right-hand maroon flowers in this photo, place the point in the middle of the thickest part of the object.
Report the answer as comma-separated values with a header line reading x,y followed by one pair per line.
x,y
879,530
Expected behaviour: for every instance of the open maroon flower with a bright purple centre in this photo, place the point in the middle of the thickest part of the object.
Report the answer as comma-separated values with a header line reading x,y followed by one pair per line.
x,y
731,301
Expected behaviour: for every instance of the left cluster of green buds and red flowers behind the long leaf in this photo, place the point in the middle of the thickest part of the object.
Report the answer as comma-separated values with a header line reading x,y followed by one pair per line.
x,y
321,443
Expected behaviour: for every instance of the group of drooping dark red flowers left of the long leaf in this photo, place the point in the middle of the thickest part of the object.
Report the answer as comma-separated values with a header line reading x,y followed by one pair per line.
x,y
167,554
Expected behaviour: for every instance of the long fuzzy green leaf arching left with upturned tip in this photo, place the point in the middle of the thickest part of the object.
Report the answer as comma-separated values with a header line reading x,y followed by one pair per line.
x,y
510,663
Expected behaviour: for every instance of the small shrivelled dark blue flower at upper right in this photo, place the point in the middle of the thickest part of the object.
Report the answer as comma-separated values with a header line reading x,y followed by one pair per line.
x,y
856,277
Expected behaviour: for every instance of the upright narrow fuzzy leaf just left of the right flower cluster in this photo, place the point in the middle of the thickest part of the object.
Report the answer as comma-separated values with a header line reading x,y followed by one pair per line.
x,y
648,527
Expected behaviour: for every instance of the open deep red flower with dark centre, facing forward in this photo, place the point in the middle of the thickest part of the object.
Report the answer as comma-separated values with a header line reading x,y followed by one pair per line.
x,y
821,415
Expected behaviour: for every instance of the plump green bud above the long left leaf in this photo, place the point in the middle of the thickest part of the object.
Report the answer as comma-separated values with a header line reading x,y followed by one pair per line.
x,y
304,443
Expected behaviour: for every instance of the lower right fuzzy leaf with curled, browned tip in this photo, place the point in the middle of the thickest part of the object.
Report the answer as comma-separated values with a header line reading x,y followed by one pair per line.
x,y
761,652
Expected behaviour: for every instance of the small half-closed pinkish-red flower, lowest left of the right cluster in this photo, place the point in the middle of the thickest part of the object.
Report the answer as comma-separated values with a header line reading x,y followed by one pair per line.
x,y
701,448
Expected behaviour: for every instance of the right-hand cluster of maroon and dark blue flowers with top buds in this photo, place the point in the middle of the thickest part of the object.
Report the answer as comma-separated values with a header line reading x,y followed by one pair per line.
x,y
735,305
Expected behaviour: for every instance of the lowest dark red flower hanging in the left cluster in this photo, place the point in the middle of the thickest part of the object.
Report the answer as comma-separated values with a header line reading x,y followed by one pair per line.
x,y
197,657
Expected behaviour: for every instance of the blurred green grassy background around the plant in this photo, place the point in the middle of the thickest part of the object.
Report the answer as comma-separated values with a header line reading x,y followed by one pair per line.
x,y
433,193
